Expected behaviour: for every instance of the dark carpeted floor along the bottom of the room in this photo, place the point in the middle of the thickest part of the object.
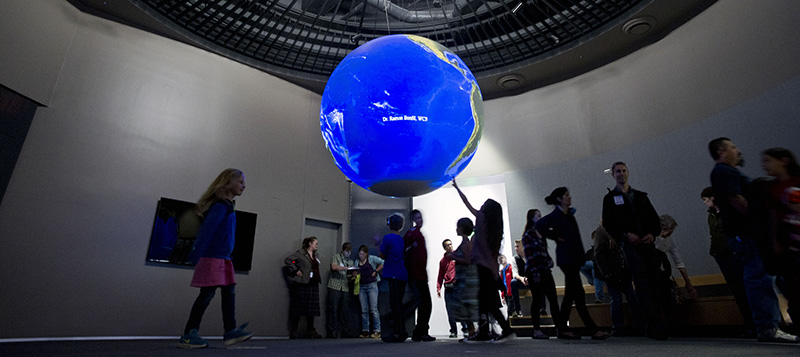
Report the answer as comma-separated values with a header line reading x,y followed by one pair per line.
x,y
619,347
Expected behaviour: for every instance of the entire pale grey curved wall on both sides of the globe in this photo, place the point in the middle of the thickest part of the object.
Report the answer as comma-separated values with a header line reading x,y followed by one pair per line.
x,y
130,120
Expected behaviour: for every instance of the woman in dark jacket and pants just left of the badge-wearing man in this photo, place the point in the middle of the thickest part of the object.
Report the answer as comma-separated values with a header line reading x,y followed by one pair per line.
x,y
561,226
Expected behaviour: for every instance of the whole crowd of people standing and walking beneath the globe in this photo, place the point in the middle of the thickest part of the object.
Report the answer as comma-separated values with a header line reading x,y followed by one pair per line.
x,y
754,238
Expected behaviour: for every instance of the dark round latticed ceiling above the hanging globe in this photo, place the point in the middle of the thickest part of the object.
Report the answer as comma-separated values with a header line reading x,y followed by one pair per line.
x,y
510,46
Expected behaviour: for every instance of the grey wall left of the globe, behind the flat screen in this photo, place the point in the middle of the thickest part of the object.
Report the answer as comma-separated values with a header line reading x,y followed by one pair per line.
x,y
135,117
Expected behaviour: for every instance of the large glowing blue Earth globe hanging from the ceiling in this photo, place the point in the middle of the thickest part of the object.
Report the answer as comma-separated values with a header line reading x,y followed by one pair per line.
x,y
401,115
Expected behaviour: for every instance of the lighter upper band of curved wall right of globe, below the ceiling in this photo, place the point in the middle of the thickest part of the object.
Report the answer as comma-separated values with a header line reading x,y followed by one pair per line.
x,y
728,54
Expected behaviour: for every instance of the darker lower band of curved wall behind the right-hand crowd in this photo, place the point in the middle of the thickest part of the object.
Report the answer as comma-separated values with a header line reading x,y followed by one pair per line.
x,y
673,168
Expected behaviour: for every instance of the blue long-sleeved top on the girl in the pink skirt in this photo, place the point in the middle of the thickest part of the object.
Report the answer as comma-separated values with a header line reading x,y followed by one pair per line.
x,y
217,234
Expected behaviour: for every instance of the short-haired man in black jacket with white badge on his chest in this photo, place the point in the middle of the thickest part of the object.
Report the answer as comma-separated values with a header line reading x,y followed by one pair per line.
x,y
631,220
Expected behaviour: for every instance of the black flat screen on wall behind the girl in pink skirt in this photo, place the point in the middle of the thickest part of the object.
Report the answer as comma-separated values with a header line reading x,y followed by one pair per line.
x,y
175,229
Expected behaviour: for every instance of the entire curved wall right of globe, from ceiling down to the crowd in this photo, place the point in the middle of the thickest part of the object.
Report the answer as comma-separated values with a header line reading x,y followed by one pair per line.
x,y
731,71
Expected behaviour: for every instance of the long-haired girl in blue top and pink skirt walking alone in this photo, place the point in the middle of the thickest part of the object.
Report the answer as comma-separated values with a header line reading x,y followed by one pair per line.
x,y
211,255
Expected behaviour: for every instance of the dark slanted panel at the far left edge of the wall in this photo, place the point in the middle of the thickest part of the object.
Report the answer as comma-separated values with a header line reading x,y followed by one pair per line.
x,y
16,115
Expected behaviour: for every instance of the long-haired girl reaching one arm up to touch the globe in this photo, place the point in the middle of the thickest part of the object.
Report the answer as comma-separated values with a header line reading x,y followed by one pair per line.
x,y
485,251
